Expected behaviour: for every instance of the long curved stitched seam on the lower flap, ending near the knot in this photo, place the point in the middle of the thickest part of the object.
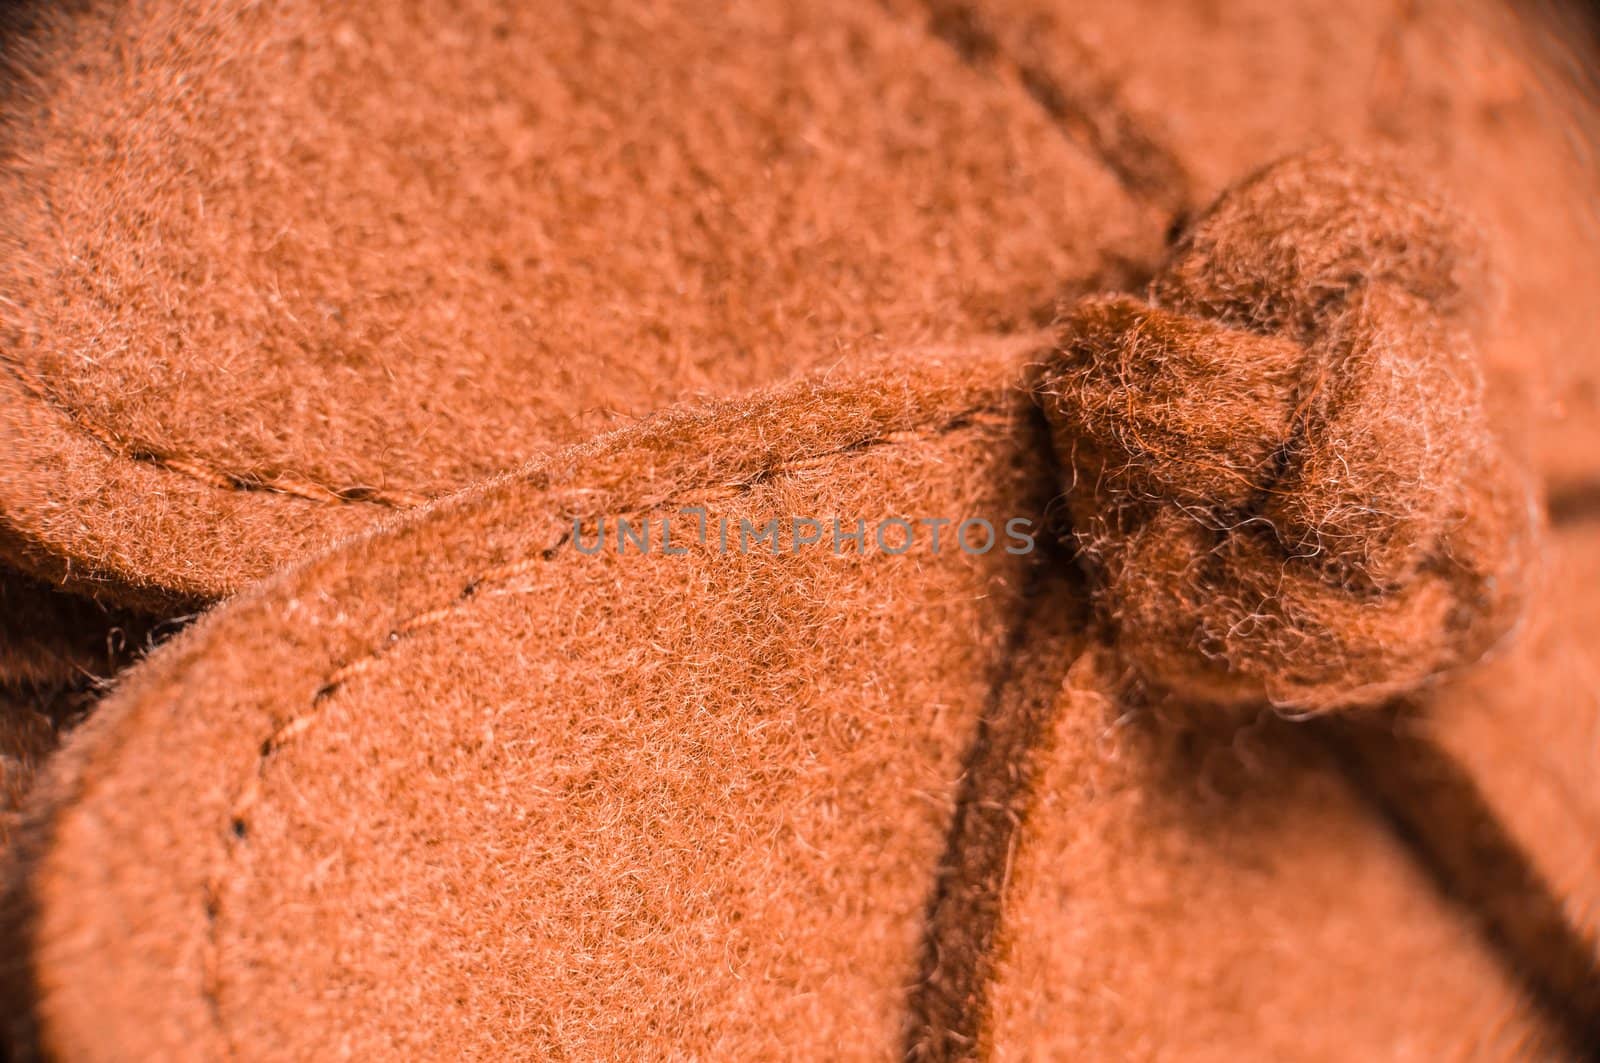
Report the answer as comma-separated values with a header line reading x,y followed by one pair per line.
x,y
286,734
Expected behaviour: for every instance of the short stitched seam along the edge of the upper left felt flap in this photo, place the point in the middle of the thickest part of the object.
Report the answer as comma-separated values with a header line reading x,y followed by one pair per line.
x,y
209,473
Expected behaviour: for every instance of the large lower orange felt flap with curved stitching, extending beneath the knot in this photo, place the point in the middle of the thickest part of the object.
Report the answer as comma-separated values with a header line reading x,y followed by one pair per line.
x,y
463,788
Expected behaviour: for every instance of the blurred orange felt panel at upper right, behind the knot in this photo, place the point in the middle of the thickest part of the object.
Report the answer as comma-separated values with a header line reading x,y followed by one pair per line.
x,y
1489,100
